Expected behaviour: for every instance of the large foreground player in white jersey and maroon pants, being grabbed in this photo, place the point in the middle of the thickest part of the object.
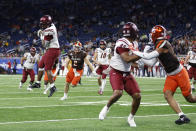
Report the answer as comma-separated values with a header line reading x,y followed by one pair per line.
x,y
120,76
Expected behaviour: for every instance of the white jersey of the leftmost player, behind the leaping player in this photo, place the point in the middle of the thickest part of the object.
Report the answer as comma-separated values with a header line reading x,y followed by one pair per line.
x,y
30,61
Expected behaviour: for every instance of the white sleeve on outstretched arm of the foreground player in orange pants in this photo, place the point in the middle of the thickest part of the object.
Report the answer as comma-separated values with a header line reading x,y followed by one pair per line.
x,y
150,55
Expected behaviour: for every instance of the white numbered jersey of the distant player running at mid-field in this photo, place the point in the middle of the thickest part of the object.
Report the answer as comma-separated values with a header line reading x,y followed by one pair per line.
x,y
103,56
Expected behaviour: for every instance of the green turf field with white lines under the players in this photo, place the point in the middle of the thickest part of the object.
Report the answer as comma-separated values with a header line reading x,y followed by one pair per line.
x,y
21,110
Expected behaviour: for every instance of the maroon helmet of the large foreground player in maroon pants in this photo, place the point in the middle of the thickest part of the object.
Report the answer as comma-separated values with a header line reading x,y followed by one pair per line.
x,y
130,30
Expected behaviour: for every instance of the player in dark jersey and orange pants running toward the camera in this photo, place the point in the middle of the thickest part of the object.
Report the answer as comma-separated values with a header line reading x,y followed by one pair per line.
x,y
77,58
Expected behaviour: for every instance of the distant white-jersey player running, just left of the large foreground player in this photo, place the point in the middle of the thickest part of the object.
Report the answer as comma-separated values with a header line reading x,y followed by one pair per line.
x,y
102,57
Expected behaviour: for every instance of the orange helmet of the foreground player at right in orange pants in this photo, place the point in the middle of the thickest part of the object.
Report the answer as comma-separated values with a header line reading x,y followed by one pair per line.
x,y
157,32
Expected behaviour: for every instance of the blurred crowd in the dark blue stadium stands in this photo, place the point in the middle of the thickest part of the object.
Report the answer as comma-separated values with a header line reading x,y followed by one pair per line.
x,y
92,20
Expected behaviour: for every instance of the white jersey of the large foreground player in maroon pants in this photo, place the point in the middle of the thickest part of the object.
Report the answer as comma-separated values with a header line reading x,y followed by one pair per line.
x,y
116,61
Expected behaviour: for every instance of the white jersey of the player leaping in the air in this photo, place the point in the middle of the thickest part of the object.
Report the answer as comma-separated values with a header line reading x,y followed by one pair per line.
x,y
50,37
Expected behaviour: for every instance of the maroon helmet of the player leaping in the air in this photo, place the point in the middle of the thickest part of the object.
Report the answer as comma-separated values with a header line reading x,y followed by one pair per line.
x,y
45,21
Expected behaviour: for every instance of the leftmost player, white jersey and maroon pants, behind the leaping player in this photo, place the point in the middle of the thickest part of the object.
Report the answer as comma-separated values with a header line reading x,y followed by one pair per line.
x,y
29,61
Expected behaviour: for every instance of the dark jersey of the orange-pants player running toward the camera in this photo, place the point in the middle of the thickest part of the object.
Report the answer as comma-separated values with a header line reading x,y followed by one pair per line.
x,y
77,59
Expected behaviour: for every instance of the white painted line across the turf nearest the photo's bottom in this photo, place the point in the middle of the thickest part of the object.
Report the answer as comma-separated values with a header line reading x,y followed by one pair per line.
x,y
60,120
